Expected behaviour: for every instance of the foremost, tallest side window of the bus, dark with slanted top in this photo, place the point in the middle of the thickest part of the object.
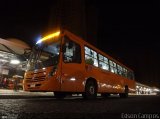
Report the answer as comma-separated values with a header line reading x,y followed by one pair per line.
x,y
71,51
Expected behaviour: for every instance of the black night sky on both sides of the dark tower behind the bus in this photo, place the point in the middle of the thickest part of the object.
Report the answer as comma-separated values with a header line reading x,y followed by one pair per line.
x,y
128,31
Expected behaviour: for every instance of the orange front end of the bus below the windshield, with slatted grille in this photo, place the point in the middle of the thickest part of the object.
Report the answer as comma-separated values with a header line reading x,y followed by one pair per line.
x,y
33,80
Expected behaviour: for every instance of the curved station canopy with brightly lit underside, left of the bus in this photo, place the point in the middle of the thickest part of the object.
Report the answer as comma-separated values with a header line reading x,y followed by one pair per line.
x,y
11,49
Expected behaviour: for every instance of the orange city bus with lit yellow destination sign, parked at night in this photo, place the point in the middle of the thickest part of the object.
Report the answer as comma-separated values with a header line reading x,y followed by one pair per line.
x,y
64,63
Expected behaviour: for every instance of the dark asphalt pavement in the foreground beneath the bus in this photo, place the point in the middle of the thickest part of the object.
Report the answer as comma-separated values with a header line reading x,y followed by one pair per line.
x,y
26,105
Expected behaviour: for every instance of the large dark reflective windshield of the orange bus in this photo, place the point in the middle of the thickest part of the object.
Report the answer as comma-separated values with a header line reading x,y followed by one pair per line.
x,y
44,55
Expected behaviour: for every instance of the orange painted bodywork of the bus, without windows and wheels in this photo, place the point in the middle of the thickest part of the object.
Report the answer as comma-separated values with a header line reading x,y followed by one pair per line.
x,y
71,77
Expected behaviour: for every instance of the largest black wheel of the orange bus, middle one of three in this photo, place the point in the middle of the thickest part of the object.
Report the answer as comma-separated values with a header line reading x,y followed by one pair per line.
x,y
90,90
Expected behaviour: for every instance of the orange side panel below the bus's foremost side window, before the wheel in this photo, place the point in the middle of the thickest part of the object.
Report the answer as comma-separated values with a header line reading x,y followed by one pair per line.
x,y
72,77
